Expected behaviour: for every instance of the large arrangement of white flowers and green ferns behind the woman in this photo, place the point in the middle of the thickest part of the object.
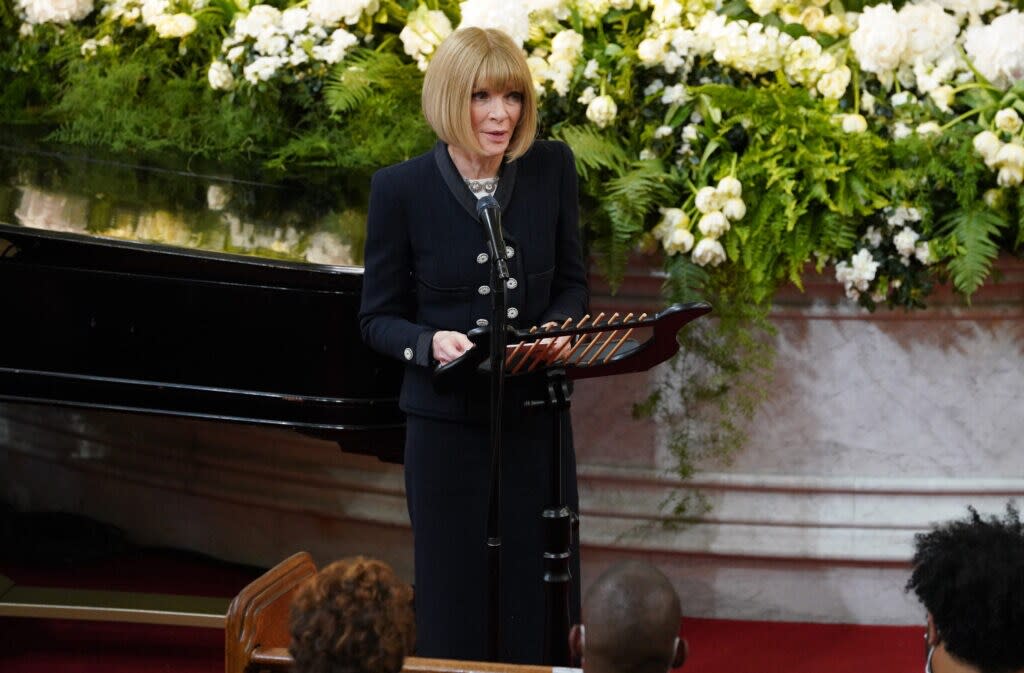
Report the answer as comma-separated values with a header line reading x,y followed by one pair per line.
x,y
743,142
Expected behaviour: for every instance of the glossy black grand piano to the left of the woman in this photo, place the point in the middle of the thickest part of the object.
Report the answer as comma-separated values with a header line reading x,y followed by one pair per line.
x,y
154,291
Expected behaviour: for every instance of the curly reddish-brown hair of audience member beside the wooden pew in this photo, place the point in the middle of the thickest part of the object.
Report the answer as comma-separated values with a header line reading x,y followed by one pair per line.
x,y
353,617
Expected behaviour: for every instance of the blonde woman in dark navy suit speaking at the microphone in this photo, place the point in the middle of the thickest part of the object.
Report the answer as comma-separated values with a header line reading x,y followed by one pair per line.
x,y
425,285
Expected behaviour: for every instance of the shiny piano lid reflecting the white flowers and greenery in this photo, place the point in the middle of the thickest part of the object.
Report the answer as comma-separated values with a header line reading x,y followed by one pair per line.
x,y
320,219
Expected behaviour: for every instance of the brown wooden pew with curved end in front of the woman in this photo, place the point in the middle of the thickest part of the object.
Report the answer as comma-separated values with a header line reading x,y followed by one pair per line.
x,y
258,633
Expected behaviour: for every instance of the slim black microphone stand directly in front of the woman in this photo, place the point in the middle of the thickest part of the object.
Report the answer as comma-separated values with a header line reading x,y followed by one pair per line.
x,y
499,339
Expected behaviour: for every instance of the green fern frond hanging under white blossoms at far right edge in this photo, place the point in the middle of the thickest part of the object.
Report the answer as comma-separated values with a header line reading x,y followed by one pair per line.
x,y
976,231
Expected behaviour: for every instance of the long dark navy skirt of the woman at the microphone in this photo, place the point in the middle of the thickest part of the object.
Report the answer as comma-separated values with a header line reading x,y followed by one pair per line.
x,y
447,484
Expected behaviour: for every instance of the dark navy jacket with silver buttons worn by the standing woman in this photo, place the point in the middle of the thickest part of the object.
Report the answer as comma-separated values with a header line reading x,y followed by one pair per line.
x,y
426,270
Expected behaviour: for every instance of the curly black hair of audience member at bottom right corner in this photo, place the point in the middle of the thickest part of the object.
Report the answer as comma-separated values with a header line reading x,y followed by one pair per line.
x,y
970,576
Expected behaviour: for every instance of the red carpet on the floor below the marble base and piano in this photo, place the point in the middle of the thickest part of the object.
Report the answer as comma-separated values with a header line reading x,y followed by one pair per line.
x,y
716,646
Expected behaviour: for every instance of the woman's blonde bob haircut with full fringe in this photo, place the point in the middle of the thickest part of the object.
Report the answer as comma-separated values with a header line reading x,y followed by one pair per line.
x,y
471,59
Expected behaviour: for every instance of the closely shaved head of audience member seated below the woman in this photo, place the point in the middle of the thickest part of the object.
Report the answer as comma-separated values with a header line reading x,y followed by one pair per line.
x,y
631,621
